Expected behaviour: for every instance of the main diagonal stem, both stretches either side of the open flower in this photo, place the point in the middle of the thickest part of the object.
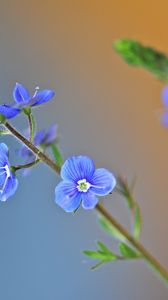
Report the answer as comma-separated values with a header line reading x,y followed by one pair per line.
x,y
151,261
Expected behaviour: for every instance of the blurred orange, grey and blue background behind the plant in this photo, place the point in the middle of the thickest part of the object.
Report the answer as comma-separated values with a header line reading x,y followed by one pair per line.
x,y
104,109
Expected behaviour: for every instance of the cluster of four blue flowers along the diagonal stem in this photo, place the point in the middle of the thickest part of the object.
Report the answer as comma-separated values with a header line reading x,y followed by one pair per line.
x,y
81,183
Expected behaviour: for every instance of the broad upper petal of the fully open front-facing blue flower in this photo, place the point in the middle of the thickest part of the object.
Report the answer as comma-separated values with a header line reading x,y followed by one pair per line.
x,y
78,167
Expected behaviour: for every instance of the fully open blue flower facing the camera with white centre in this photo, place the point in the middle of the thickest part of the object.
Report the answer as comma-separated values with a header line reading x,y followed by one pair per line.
x,y
81,183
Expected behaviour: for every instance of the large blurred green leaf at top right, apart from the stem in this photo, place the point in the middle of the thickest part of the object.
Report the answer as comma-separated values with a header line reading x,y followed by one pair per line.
x,y
135,54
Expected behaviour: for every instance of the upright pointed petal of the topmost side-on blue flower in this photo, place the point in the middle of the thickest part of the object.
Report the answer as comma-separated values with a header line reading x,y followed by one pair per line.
x,y
20,94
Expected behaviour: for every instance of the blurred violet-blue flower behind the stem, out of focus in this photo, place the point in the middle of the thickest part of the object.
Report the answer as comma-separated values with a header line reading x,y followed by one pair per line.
x,y
43,138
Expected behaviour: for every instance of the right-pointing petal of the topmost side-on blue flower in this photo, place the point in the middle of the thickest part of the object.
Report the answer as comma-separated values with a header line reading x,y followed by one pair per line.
x,y
42,97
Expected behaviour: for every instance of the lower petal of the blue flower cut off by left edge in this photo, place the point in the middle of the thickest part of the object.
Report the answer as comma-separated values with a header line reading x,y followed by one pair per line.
x,y
10,188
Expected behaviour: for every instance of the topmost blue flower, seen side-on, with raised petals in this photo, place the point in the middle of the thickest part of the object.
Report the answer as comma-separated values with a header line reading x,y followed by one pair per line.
x,y
23,100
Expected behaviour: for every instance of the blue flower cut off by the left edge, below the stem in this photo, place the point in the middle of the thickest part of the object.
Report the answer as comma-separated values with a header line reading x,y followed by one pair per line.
x,y
8,181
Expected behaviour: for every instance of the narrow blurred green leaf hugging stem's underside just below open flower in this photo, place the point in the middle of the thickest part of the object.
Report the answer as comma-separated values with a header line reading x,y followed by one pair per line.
x,y
111,230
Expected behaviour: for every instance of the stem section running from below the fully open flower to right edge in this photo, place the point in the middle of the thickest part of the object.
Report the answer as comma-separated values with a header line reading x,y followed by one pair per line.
x,y
156,266
